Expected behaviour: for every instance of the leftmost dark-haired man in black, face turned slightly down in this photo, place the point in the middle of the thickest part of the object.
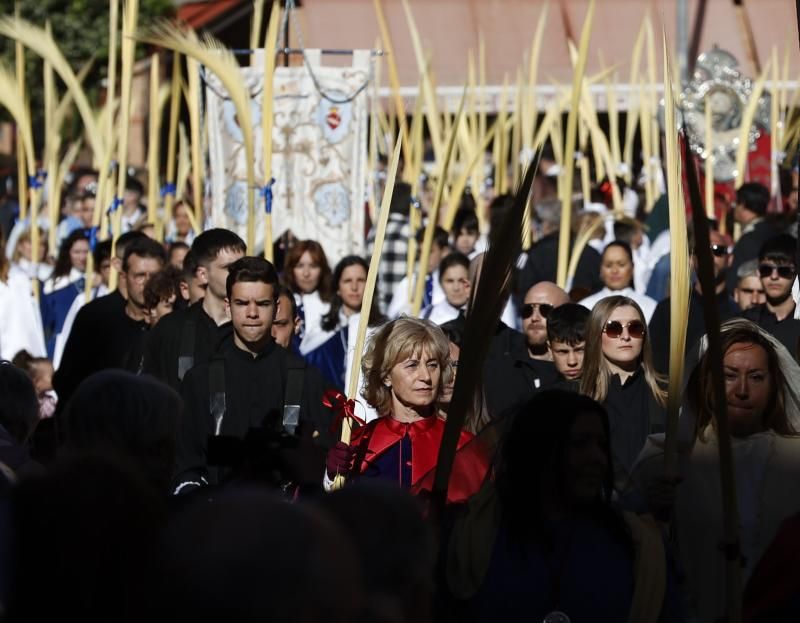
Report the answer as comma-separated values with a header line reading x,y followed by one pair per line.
x,y
109,332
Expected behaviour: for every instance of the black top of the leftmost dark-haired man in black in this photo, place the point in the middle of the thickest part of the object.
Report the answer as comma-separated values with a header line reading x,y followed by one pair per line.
x,y
102,337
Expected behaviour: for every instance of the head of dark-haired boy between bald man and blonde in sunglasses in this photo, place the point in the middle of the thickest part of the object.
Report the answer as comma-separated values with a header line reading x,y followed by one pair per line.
x,y
566,339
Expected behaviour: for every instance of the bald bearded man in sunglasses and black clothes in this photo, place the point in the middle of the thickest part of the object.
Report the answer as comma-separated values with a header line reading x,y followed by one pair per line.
x,y
511,379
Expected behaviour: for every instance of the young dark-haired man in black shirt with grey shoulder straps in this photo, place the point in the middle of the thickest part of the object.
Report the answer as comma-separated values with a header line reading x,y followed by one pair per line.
x,y
251,389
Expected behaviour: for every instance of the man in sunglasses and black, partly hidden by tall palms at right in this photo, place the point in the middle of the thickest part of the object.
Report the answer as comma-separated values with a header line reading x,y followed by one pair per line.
x,y
658,330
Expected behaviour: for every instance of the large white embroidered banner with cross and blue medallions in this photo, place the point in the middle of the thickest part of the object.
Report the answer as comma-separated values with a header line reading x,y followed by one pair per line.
x,y
319,153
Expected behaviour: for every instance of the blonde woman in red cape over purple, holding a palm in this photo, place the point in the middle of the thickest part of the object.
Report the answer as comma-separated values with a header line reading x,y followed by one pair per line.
x,y
406,371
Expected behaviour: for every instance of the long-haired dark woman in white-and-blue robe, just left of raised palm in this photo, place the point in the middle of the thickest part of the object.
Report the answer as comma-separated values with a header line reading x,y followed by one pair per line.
x,y
328,346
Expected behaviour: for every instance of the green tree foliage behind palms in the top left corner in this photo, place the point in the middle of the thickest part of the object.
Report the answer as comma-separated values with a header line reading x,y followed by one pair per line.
x,y
80,27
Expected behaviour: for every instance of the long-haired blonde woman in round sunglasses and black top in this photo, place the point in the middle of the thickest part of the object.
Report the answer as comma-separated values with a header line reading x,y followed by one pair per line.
x,y
618,373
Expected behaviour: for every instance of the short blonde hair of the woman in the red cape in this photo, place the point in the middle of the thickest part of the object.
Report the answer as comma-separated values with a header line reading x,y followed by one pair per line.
x,y
394,342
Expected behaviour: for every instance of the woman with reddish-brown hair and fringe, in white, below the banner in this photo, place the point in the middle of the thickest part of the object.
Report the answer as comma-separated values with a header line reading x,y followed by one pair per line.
x,y
307,274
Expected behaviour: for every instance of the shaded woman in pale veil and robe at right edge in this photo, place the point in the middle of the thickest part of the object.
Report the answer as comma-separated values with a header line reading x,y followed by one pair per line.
x,y
762,395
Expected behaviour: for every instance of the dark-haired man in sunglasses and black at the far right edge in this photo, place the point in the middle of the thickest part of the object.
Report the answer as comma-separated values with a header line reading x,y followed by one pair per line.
x,y
776,267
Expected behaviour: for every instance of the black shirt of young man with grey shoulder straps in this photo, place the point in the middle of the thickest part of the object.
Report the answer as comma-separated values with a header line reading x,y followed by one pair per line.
x,y
254,399
